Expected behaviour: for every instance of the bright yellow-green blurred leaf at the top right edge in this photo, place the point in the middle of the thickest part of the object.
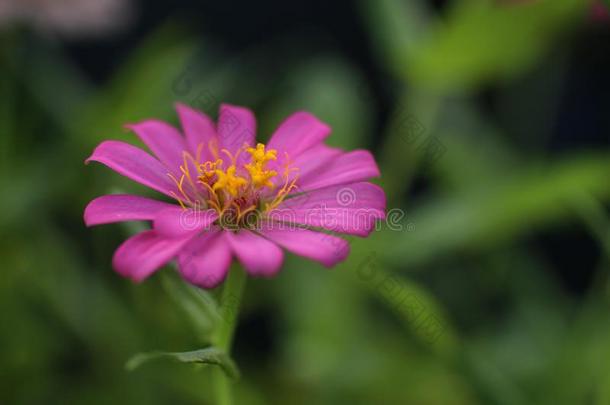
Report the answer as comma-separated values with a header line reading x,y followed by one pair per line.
x,y
481,41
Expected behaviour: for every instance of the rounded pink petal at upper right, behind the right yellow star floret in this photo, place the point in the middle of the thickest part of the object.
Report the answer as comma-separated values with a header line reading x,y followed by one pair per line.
x,y
298,133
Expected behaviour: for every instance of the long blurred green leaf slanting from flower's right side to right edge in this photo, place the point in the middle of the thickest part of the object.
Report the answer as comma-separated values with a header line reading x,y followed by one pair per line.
x,y
528,197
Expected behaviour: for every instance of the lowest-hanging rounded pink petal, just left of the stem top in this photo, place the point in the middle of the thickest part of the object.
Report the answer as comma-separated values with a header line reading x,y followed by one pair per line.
x,y
205,260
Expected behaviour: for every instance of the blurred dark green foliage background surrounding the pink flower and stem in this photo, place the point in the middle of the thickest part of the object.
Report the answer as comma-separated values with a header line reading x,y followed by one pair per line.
x,y
490,121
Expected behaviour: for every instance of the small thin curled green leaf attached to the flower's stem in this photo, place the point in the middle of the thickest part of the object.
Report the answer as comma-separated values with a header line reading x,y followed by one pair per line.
x,y
211,356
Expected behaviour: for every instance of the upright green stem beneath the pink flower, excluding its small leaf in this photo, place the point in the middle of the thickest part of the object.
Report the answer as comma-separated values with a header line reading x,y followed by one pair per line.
x,y
230,300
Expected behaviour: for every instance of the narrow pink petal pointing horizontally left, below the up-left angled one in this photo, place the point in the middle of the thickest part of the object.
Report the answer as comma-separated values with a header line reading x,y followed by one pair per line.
x,y
122,207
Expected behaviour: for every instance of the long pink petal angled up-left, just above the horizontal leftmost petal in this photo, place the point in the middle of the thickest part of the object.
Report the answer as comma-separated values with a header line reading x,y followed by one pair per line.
x,y
135,164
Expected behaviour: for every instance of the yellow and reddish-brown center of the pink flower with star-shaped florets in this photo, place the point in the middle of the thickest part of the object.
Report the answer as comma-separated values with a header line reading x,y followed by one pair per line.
x,y
241,191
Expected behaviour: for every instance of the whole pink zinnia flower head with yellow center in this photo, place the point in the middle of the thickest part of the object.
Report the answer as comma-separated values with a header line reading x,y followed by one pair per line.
x,y
236,198
